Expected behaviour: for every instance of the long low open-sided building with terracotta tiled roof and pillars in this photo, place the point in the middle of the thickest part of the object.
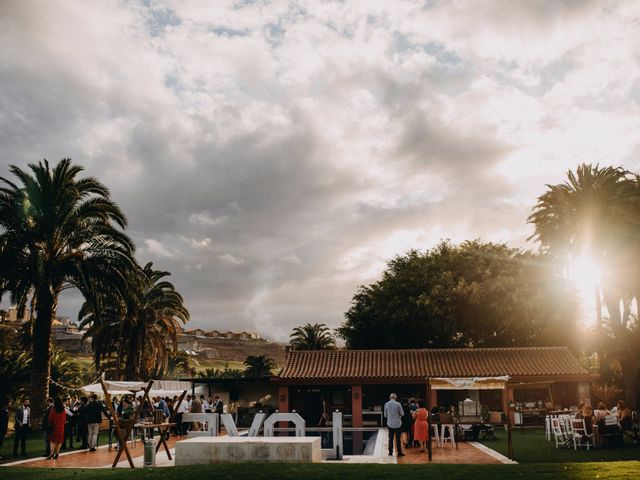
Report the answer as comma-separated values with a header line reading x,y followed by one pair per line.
x,y
359,381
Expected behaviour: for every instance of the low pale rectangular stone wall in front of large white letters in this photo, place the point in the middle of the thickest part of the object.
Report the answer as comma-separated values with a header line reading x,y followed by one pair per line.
x,y
208,450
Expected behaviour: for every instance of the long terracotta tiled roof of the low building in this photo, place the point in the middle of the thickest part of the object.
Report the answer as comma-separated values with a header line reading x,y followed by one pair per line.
x,y
468,362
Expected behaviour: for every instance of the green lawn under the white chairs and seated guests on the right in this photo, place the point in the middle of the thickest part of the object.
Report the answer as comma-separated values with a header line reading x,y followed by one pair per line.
x,y
533,448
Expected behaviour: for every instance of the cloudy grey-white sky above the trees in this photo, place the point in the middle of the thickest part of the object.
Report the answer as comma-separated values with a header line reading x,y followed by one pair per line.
x,y
273,155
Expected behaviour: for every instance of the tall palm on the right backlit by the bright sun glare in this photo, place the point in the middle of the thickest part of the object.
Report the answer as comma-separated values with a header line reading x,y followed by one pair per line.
x,y
596,214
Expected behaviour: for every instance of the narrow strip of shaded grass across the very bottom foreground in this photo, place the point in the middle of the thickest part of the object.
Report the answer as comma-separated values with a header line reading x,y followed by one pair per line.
x,y
571,471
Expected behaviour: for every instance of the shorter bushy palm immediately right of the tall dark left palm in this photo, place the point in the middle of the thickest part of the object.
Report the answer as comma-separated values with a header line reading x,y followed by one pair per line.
x,y
140,328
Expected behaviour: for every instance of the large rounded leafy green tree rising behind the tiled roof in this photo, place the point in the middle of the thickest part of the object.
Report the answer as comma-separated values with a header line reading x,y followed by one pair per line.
x,y
469,295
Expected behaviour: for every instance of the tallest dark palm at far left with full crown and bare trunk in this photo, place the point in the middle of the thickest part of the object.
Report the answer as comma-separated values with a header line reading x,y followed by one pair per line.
x,y
57,231
